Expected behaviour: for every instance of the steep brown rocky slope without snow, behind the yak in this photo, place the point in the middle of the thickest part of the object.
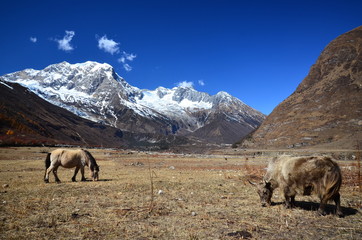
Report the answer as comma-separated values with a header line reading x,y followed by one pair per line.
x,y
326,108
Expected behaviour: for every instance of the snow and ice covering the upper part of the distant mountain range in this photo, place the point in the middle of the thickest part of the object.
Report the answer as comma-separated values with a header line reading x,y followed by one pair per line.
x,y
95,91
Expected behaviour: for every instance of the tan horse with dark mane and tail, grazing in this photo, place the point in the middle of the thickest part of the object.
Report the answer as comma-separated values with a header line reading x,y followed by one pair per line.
x,y
70,159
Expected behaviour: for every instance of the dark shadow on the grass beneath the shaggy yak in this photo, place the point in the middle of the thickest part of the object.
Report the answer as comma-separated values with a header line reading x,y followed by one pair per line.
x,y
313,206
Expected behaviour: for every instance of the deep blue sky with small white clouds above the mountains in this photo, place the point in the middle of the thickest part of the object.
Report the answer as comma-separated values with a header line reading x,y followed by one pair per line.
x,y
258,51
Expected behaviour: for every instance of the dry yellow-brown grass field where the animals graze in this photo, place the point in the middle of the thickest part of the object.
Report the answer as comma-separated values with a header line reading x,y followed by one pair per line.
x,y
161,196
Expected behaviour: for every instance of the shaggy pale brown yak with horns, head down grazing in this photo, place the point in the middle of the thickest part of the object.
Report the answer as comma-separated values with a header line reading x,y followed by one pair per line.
x,y
302,175
